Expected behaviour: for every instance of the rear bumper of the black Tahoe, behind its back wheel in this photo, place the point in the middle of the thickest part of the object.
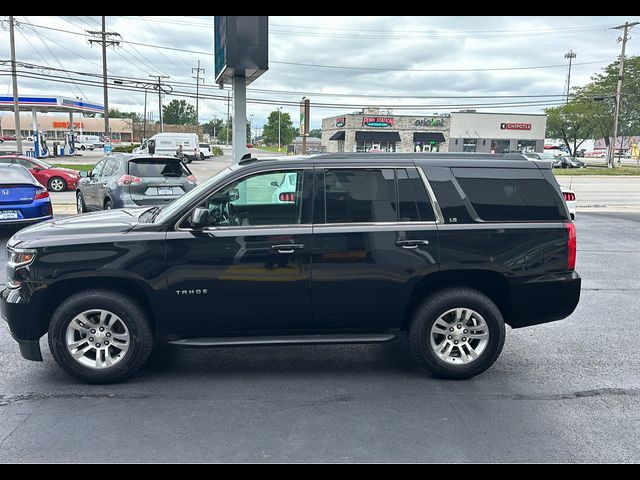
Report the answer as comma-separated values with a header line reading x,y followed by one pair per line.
x,y
543,298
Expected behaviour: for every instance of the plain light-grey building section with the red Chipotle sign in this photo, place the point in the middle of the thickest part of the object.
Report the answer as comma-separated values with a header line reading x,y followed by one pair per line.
x,y
496,132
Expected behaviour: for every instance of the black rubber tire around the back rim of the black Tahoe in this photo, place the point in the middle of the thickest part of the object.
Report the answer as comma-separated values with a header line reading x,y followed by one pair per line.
x,y
430,310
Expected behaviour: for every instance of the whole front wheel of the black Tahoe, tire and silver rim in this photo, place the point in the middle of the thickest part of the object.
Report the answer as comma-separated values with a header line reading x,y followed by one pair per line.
x,y
100,336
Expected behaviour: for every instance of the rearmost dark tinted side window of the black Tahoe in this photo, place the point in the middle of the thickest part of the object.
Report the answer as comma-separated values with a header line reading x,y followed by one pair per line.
x,y
509,195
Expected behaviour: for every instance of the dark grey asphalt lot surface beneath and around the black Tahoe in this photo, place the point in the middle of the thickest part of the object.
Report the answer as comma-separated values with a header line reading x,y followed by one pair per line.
x,y
563,392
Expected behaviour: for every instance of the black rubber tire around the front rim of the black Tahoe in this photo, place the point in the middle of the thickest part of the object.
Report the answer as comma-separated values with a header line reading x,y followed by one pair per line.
x,y
129,311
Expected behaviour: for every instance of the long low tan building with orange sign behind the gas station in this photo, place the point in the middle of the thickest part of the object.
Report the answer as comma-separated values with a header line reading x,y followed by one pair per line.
x,y
57,126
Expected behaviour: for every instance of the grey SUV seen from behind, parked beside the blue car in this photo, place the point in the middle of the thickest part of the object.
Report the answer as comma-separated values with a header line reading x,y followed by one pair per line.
x,y
127,180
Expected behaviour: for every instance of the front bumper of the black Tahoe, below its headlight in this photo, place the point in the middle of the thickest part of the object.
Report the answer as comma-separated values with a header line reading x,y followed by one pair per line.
x,y
22,319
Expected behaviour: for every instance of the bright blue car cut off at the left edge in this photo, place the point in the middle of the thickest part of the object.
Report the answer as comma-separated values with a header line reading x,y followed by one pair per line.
x,y
22,198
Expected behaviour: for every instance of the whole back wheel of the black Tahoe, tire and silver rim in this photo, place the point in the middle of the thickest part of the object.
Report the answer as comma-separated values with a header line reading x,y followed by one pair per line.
x,y
457,333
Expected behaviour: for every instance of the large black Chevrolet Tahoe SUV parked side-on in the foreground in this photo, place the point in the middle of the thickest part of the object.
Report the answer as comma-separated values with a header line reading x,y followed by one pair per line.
x,y
331,248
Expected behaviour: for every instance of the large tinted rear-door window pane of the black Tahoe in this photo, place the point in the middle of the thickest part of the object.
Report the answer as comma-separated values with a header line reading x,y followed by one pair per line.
x,y
360,195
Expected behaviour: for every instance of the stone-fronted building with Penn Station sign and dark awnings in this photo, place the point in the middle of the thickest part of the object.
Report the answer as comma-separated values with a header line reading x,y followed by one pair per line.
x,y
375,129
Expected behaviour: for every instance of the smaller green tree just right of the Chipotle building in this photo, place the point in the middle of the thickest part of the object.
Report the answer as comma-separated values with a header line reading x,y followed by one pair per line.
x,y
572,122
